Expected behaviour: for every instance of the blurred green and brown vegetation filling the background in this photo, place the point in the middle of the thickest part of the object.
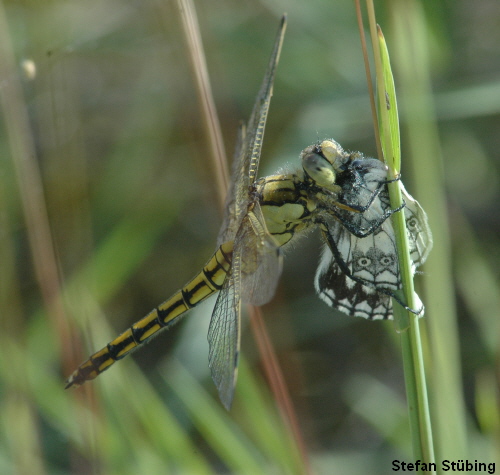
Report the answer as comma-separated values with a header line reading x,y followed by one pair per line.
x,y
118,139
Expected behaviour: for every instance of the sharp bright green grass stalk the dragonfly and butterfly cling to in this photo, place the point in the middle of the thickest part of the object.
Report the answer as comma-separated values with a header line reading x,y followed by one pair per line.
x,y
406,322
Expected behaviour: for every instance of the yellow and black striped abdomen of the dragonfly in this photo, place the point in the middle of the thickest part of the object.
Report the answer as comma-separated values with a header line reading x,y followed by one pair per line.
x,y
206,283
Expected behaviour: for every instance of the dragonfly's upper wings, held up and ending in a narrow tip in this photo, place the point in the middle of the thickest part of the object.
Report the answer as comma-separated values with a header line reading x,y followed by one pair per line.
x,y
247,154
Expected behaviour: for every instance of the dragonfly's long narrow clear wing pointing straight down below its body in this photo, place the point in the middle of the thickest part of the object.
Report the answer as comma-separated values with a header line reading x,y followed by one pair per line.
x,y
224,335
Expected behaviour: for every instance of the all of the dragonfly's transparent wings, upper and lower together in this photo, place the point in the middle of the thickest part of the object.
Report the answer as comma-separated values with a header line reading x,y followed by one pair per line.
x,y
256,266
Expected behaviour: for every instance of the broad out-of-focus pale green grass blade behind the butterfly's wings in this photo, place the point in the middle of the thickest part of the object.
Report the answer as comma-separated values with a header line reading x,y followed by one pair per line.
x,y
412,46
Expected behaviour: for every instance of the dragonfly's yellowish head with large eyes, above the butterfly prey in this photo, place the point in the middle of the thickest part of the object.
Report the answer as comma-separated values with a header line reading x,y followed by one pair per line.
x,y
321,162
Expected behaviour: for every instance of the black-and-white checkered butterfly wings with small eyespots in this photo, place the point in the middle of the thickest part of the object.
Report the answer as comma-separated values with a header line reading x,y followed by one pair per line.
x,y
360,275
